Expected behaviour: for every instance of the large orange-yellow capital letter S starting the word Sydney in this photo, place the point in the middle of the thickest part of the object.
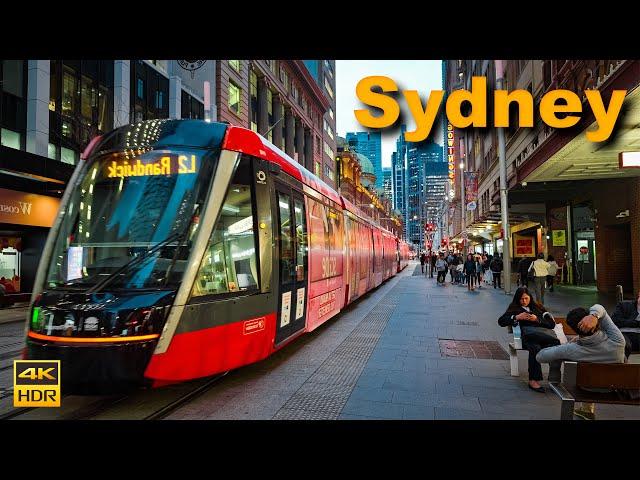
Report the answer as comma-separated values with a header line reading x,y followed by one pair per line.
x,y
390,108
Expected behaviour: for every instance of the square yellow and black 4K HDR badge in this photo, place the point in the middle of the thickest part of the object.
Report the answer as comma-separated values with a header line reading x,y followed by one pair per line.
x,y
36,383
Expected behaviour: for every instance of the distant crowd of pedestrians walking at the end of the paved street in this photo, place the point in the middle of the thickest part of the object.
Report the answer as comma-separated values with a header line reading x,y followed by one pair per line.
x,y
472,270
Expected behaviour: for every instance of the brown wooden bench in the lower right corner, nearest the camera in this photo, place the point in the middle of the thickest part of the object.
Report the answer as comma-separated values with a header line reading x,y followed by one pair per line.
x,y
622,379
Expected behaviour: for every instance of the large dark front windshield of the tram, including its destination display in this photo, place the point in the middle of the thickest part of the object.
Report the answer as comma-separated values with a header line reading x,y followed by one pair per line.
x,y
131,219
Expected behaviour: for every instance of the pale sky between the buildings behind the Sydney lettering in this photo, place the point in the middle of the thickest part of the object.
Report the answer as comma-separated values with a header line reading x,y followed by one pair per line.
x,y
420,75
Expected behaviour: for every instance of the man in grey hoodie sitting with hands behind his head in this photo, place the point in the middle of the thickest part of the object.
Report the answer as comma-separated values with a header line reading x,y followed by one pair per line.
x,y
599,341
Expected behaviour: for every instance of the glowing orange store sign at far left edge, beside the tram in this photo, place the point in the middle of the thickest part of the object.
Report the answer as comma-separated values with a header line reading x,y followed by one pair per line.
x,y
23,208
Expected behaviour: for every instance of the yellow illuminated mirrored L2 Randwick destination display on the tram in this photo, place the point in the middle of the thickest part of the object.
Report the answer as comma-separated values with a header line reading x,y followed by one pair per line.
x,y
166,165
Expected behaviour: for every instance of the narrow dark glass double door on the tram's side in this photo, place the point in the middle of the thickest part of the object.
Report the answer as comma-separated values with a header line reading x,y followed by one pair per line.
x,y
293,262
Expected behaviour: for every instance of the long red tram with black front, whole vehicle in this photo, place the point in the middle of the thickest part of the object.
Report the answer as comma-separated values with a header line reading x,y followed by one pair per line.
x,y
185,248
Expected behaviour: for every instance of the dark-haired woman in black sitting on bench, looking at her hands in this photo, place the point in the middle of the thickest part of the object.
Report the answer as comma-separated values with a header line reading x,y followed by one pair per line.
x,y
537,330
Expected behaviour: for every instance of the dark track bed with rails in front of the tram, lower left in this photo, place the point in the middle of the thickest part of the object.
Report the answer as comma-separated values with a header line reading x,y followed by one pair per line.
x,y
149,404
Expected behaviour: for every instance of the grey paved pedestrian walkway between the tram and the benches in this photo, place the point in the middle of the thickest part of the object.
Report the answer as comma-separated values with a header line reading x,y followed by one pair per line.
x,y
410,350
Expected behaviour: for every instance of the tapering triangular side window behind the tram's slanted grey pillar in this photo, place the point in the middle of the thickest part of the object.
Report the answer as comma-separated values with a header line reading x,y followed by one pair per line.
x,y
229,264
